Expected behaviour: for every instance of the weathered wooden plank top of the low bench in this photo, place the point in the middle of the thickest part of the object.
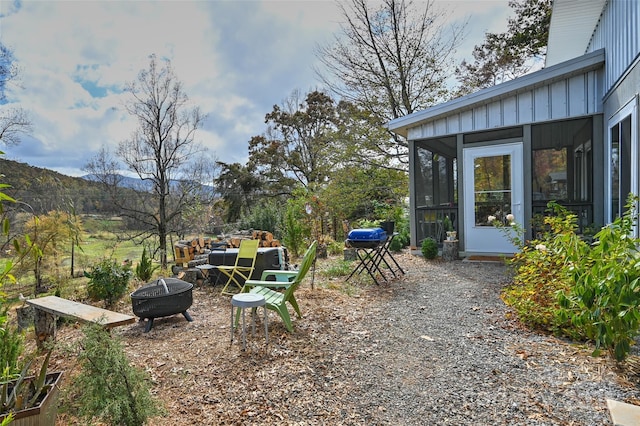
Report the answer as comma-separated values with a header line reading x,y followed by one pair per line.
x,y
58,306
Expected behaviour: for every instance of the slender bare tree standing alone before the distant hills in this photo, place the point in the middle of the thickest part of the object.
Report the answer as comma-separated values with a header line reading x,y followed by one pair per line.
x,y
162,152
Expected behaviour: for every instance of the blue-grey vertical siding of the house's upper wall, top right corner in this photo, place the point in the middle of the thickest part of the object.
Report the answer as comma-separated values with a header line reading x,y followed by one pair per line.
x,y
621,46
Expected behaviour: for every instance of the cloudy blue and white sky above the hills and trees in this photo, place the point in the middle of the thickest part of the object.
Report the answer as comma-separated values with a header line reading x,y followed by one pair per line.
x,y
236,60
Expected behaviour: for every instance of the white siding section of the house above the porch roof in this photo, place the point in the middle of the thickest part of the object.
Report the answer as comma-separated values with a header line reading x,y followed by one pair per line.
x,y
572,25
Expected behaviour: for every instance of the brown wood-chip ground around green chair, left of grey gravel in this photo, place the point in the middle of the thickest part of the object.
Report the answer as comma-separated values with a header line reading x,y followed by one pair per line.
x,y
201,378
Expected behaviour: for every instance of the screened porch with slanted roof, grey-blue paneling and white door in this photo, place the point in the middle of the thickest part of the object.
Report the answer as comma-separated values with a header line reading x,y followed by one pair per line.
x,y
508,150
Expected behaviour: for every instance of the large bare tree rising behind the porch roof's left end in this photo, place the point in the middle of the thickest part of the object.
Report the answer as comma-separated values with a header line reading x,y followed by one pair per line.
x,y
391,60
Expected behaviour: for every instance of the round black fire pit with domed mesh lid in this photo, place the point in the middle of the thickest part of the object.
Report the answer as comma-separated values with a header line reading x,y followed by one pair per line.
x,y
161,298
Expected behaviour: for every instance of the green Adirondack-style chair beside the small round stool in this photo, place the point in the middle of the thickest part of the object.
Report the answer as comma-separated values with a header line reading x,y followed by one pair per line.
x,y
277,300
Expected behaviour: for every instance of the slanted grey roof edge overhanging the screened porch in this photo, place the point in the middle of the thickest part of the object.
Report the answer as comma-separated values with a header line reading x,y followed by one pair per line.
x,y
582,64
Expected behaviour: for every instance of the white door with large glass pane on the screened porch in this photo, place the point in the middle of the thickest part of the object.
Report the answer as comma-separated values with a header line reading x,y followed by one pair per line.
x,y
493,187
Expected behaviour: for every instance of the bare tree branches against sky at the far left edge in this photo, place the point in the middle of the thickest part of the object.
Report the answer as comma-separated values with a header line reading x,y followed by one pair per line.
x,y
14,121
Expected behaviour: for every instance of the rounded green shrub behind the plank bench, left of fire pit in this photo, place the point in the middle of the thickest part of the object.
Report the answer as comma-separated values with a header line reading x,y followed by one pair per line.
x,y
108,281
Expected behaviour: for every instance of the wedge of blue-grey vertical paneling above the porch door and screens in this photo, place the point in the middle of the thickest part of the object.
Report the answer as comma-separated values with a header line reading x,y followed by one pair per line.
x,y
574,96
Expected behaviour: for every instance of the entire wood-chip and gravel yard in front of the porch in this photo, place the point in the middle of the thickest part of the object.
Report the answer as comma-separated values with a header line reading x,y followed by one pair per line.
x,y
435,346
